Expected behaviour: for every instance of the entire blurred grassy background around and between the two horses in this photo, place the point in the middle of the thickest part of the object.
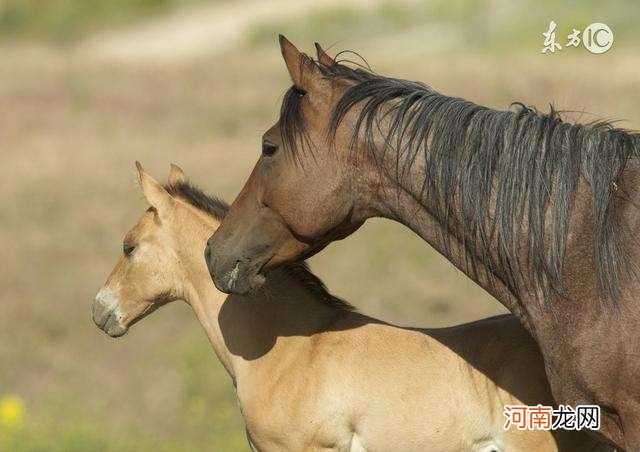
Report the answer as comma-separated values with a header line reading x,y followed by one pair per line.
x,y
89,86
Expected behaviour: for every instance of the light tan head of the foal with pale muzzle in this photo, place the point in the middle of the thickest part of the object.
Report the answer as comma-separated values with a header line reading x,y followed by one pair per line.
x,y
157,252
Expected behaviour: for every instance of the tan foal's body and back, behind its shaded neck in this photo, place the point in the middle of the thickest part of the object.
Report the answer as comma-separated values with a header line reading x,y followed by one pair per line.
x,y
364,384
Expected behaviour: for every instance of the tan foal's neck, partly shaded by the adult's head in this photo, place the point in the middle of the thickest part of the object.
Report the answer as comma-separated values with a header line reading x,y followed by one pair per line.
x,y
253,334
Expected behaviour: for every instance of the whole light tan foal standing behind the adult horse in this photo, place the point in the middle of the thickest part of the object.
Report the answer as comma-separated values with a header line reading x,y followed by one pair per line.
x,y
310,373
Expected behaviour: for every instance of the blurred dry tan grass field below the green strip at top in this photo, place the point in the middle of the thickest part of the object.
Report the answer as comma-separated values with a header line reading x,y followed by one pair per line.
x,y
70,131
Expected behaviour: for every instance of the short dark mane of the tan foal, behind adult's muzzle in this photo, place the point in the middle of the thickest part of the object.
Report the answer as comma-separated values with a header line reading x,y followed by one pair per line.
x,y
217,208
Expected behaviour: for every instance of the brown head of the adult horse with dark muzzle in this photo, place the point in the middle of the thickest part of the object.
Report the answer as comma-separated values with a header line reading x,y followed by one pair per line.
x,y
304,191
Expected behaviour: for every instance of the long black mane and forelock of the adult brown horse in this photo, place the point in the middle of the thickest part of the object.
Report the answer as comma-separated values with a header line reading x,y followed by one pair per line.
x,y
530,162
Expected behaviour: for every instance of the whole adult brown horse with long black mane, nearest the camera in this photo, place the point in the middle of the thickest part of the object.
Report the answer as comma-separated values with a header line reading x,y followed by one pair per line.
x,y
537,211
